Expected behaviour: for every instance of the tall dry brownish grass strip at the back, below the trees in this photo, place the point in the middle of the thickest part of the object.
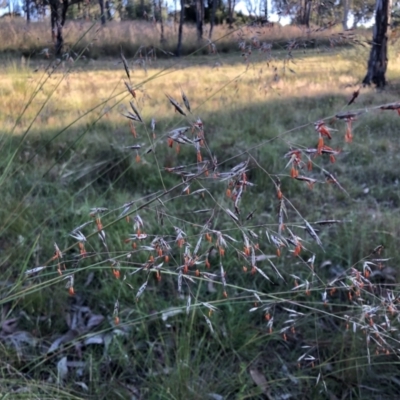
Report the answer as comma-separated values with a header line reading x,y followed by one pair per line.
x,y
97,40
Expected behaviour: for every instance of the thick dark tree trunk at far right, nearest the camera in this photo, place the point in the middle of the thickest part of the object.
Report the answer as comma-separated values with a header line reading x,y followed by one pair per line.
x,y
378,58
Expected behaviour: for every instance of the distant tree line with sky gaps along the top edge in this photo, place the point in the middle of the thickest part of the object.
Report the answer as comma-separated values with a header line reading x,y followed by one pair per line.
x,y
200,12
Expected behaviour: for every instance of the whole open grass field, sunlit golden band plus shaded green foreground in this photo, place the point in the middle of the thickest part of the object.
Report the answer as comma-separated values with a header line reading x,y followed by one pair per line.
x,y
67,154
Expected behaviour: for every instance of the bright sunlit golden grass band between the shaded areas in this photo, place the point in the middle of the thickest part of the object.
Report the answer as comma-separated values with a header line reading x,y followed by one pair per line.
x,y
213,84
